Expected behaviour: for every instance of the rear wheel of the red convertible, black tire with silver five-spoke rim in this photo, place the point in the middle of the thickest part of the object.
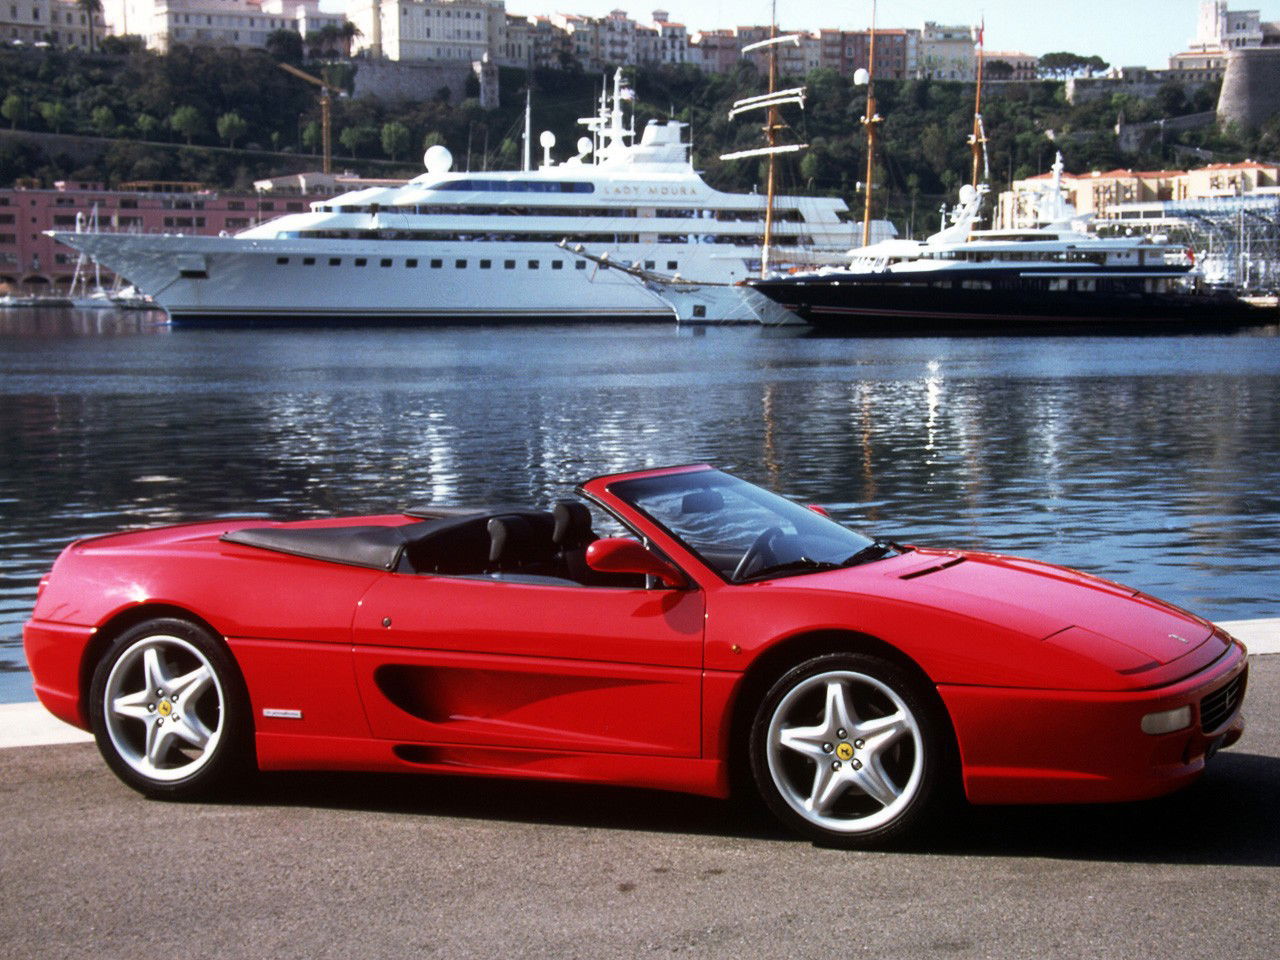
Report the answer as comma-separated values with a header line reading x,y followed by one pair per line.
x,y
170,671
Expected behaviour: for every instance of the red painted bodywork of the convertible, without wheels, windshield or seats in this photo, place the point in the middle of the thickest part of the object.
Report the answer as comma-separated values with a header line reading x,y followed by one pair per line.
x,y
1045,674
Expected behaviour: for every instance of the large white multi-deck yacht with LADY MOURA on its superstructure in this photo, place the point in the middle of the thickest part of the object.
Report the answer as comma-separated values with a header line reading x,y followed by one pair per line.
x,y
459,246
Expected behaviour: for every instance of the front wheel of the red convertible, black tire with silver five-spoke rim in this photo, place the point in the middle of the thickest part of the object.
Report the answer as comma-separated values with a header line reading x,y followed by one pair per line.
x,y
870,769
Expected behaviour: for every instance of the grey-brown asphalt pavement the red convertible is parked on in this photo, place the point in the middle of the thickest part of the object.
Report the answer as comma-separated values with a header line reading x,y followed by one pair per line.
x,y
354,866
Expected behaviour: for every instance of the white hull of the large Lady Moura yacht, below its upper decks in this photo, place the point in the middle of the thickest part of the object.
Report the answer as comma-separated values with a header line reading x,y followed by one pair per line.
x,y
223,281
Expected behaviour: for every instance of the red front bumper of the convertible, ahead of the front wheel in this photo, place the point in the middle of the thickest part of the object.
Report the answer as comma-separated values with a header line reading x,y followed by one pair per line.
x,y
1055,747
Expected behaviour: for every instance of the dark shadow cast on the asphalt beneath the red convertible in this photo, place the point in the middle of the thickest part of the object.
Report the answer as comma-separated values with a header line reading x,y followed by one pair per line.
x,y
1227,819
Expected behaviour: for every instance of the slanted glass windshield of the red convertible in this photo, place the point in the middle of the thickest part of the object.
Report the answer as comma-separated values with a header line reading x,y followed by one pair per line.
x,y
743,532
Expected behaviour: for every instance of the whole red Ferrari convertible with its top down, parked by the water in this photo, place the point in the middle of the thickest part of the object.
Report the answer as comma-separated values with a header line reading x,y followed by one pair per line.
x,y
723,630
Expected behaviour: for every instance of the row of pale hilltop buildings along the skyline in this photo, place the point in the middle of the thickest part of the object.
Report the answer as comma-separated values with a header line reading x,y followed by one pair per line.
x,y
468,31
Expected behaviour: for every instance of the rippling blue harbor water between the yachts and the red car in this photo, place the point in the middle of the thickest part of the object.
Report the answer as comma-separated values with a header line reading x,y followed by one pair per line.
x,y
1154,461
